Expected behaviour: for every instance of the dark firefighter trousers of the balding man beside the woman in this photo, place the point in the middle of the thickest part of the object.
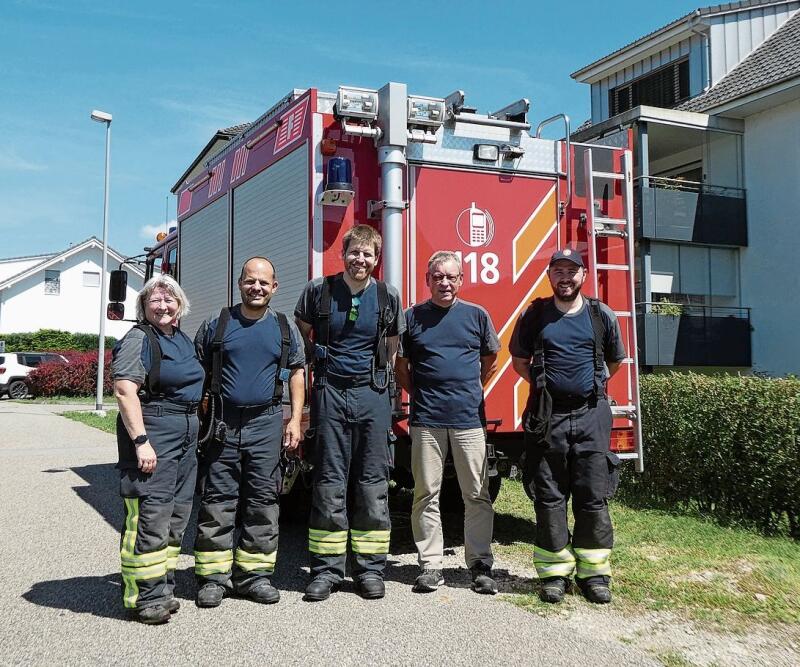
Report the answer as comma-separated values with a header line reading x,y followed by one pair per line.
x,y
241,476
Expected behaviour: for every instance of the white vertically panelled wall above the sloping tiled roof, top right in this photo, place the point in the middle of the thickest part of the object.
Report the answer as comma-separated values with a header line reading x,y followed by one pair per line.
x,y
734,36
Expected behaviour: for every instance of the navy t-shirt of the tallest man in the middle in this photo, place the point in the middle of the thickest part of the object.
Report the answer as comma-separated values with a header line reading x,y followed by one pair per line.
x,y
351,343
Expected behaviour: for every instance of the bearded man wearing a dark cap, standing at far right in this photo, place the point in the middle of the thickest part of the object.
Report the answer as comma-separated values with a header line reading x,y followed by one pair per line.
x,y
567,347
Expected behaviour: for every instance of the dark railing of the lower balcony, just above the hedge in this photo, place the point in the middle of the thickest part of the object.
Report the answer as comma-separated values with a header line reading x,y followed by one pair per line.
x,y
673,334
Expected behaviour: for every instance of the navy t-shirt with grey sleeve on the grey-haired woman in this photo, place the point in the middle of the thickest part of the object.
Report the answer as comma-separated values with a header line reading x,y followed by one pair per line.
x,y
181,375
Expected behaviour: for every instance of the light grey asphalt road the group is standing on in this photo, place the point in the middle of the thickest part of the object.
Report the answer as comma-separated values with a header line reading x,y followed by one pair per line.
x,y
60,587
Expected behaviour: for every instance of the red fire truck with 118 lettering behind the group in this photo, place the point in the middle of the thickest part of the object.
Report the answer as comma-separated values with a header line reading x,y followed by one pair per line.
x,y
430,174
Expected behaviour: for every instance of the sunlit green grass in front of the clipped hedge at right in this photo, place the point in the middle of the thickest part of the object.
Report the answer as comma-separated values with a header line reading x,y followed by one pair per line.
x,y
678,563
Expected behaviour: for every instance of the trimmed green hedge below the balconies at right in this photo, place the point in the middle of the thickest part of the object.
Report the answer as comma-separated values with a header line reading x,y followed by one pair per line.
x,y
726,446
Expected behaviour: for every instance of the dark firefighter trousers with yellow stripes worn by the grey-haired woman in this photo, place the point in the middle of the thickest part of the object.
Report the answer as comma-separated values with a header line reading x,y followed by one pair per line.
x,y
158,505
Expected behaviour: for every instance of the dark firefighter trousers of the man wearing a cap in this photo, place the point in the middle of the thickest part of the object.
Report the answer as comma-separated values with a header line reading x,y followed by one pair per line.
x,y
576,463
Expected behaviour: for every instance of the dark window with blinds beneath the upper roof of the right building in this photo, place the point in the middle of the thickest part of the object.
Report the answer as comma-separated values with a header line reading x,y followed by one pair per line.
x,y
665,88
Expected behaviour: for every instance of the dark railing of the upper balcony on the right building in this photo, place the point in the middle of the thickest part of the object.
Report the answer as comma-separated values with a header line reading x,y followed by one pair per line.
x,y
679,210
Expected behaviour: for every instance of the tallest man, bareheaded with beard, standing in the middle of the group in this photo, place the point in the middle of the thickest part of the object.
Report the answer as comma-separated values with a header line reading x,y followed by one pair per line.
x,y
354,322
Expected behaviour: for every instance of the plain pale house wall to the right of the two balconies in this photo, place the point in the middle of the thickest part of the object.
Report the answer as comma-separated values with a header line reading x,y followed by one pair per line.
x,y
769,276
